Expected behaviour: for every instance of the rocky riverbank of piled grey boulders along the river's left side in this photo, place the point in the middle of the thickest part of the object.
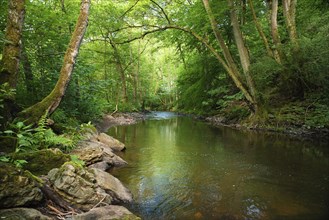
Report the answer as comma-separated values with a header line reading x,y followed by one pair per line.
x,y
76,188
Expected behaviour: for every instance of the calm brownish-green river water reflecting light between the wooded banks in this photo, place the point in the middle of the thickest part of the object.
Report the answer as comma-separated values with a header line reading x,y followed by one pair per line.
x,y
180,168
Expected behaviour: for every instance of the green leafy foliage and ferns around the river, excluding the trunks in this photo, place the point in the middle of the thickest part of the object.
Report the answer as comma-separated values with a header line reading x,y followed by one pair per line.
x,y
164,66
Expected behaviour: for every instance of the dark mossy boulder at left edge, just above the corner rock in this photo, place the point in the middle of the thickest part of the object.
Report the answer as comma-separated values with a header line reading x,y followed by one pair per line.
x,y
17,187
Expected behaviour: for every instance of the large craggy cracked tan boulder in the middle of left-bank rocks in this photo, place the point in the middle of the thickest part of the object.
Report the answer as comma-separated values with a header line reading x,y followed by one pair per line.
x,y
77,186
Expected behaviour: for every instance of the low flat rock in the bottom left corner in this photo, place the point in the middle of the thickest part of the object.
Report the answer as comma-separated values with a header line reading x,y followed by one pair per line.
x,y
22,213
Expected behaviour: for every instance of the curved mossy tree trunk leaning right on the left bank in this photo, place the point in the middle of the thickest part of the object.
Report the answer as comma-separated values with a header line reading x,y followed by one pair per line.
x,y
49,104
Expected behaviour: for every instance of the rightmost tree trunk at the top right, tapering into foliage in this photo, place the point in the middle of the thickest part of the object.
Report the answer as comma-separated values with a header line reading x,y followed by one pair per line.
x,y
289,12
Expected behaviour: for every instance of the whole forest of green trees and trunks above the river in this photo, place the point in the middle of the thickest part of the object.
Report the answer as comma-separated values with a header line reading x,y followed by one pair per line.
x,y
265,62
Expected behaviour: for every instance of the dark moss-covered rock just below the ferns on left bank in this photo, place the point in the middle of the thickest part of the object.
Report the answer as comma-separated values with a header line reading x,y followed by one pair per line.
x,y
42,161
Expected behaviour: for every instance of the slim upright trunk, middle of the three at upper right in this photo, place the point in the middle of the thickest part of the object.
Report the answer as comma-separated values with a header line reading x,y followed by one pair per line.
x,y
274,30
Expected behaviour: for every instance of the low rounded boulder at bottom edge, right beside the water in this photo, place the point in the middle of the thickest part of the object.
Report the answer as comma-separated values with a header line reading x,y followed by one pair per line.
x,y
107,213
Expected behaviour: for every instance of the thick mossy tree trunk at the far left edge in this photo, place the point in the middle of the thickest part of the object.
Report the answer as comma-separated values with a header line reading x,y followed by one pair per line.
x,y
11,55
